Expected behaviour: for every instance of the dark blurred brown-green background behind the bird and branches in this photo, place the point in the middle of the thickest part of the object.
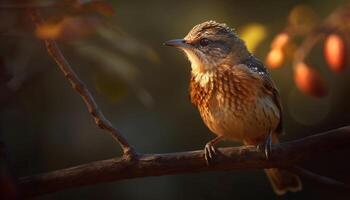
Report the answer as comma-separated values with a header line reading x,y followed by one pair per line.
x,y
141,86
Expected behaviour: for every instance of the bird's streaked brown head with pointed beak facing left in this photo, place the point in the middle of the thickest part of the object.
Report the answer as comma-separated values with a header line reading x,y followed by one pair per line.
x,y
210,44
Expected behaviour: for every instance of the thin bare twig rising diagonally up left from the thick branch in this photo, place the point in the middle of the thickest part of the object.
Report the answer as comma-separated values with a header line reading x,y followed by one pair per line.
x,y
79,86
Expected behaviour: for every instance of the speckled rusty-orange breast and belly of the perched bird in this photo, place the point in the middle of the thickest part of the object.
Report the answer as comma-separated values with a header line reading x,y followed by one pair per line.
x,y
233,105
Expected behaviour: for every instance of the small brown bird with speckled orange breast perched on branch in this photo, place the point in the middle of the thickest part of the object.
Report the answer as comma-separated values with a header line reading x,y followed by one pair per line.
x,y
235,95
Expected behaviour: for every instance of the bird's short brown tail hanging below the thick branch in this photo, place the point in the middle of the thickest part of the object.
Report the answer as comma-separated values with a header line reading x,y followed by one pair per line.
x,y
283,181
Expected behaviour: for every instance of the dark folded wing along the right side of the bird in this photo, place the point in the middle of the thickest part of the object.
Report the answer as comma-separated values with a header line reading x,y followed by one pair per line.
x,y
255,65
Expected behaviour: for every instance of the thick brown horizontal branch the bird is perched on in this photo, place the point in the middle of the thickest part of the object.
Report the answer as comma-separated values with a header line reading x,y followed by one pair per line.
x,y
284,155
